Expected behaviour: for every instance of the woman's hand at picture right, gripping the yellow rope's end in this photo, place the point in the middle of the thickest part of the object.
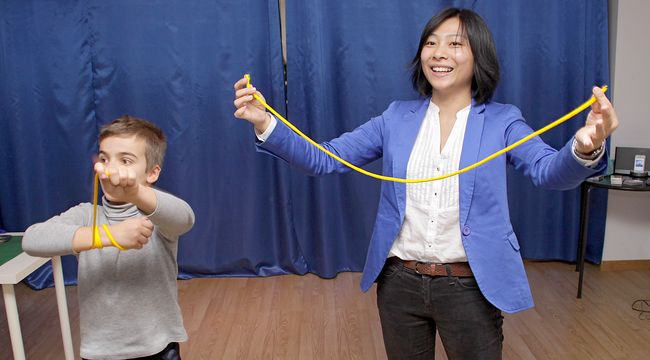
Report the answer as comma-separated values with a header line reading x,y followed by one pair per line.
x,y
601,122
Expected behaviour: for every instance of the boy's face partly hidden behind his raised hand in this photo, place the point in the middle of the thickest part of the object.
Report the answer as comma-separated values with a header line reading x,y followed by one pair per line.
x,y
128,152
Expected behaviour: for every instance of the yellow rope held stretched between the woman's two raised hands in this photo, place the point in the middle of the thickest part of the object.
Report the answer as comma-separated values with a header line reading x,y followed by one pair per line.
x,y
546,128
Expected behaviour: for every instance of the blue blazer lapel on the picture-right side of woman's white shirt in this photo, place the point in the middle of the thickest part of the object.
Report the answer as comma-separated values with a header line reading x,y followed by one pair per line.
x,y
469,155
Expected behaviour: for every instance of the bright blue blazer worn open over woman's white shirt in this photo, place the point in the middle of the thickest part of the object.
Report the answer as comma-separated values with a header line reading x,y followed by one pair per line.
x,y
489,240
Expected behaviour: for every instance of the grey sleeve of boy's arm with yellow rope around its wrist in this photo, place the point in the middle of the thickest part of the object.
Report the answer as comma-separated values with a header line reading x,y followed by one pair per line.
x,y
54,236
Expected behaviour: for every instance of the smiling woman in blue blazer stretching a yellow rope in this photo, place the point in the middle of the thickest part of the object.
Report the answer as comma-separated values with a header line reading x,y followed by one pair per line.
x,y
444,254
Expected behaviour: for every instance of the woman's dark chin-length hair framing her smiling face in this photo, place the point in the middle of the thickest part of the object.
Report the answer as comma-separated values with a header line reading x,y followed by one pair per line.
x,y
486,63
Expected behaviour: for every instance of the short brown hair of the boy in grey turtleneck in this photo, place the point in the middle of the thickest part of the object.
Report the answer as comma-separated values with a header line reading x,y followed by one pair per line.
x,y
155,140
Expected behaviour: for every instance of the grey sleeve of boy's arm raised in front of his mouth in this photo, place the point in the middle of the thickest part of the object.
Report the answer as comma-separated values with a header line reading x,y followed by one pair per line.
x,y
172,216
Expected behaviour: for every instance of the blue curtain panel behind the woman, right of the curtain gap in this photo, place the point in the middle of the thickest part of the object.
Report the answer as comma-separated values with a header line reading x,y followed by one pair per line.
x,y
347,60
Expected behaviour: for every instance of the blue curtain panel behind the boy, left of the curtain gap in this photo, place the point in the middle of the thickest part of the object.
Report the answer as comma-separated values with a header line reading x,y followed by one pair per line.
x,y
67,68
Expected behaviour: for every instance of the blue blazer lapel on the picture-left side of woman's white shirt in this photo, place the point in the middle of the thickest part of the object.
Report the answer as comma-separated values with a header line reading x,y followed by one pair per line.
x,y
407,131
